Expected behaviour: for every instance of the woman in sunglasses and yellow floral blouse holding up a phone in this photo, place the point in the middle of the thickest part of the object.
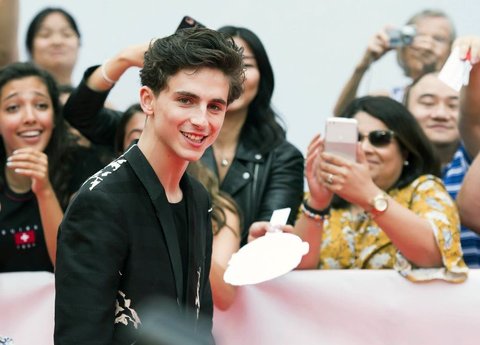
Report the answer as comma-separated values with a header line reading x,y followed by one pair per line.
x,y
389,209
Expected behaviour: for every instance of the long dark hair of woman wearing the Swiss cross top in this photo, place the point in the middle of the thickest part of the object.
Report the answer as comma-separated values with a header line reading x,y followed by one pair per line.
x,y
61,147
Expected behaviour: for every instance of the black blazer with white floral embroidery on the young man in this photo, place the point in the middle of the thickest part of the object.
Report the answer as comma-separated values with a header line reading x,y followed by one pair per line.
x,y
118,247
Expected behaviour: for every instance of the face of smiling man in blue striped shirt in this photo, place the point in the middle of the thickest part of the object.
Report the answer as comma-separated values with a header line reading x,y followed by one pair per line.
x,y
435,106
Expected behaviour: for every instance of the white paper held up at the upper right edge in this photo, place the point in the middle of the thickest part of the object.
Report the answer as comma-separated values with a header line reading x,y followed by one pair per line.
x,y
455,72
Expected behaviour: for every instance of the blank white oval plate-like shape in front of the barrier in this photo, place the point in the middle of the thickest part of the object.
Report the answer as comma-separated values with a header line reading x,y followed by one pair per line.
x,y
267,257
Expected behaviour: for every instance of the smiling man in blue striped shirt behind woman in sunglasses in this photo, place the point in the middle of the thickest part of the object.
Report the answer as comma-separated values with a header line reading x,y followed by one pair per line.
x,y
436,107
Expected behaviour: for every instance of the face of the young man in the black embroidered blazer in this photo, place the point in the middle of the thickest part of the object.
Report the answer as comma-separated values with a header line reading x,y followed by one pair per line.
x,y
187,115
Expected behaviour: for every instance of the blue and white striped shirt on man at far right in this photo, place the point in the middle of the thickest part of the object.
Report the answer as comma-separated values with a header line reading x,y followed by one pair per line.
x,y
452,176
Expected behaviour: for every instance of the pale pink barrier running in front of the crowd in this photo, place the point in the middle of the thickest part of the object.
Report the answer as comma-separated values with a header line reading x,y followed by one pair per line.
x,y
303,307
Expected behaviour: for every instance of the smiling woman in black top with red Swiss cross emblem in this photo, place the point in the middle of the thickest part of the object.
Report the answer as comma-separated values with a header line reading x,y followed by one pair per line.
x,y
41,167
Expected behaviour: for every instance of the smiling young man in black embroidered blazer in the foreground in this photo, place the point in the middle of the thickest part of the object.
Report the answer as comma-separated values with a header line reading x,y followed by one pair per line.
x,y
140,228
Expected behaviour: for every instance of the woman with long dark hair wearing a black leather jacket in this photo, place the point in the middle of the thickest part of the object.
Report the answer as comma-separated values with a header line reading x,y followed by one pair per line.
x,y
254,162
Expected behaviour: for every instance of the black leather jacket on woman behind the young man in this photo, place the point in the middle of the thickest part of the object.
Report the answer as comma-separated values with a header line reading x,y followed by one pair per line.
x,y
260,183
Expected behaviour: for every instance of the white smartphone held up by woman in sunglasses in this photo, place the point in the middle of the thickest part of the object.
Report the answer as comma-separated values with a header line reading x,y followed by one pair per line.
x,y
341,137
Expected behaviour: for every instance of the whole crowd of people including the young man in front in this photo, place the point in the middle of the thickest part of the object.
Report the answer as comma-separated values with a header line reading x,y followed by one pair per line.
x,y
128,206
